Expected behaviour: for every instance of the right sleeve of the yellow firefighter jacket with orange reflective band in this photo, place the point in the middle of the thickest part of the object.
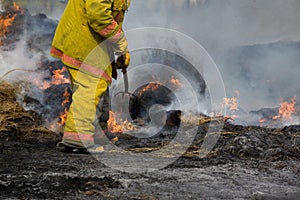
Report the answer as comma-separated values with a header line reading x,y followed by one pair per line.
x,y
100,19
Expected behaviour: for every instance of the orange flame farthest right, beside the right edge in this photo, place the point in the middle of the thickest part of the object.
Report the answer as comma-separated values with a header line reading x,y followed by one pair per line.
x,y
286,110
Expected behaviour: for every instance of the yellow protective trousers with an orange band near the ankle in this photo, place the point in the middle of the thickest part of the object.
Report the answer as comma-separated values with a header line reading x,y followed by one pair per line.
x,y
80,123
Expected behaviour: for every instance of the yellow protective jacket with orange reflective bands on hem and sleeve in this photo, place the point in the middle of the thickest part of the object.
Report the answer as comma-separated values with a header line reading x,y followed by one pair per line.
x,y
88,33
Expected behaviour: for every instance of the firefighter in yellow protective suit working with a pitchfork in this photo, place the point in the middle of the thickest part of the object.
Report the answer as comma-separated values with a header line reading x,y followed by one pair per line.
x,y
88,37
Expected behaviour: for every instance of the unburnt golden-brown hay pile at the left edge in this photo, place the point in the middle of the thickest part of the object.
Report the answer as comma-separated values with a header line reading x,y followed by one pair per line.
x,y
17,123
